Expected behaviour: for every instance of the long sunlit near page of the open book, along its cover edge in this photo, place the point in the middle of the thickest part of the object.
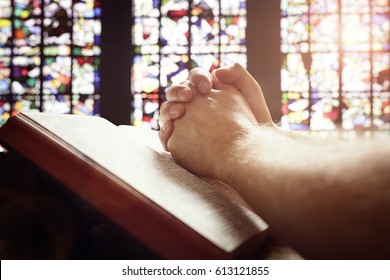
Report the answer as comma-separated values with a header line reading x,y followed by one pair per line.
x,y
224,222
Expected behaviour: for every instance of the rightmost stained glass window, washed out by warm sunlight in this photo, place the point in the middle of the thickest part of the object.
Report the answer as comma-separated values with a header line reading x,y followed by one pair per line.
x,y
335,71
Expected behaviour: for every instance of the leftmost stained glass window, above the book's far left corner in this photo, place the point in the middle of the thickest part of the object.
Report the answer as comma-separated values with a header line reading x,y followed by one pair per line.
x,y
49,56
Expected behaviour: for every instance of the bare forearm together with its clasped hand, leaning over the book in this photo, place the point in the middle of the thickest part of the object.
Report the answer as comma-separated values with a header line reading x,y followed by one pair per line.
x,y
327,199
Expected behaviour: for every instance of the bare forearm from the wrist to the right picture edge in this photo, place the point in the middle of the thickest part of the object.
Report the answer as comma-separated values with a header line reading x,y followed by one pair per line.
x,y
322,197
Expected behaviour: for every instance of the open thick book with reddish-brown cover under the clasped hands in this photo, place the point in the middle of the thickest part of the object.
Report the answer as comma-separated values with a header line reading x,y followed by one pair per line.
x,y
124,172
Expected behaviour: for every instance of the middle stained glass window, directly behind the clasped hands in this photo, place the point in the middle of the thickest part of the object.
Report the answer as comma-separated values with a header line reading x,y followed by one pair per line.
x,y
170,37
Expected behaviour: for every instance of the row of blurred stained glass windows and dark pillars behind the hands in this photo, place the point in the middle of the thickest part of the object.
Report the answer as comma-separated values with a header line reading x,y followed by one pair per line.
x,y
322,64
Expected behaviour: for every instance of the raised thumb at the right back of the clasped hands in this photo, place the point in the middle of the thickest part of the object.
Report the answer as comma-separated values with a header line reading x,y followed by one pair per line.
x,y
240,78
